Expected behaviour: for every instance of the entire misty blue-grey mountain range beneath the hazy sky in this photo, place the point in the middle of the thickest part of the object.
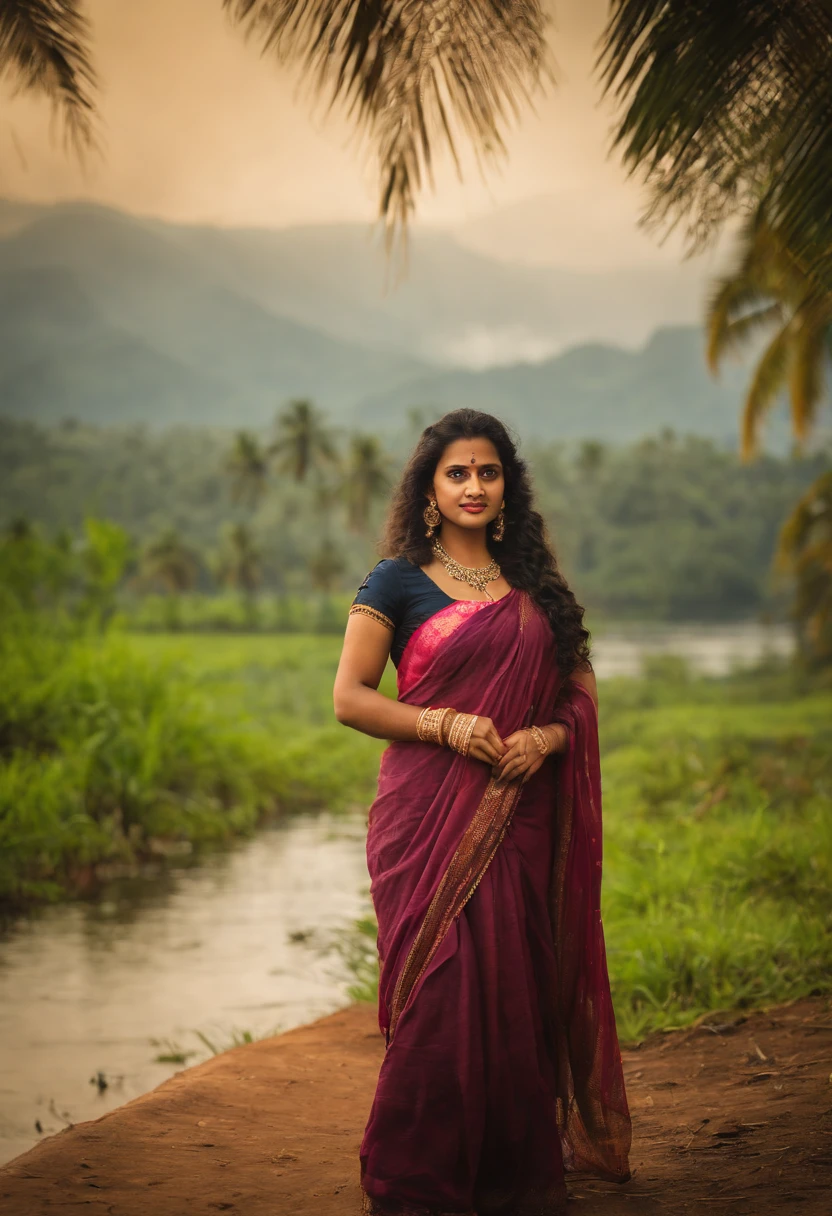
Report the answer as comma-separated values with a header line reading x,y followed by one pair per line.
x,y
110,319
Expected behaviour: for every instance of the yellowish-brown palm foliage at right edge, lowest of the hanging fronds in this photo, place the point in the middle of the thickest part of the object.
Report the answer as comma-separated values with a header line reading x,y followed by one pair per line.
x,y
805,553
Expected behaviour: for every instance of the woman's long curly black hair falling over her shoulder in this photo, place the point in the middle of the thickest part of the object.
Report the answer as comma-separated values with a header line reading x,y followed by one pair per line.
x,y
525,554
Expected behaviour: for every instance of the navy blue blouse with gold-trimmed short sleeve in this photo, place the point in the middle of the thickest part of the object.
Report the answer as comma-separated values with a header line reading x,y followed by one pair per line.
x,y
402,596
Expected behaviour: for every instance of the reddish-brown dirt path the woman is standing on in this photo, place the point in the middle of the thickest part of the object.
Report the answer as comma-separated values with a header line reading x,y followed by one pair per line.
x,y
733,1119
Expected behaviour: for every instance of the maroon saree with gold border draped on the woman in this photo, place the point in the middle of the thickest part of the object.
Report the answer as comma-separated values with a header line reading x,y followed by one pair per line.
x,y
502,1069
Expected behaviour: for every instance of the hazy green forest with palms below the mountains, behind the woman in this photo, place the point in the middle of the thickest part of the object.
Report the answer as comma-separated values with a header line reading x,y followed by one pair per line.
x,y
667,528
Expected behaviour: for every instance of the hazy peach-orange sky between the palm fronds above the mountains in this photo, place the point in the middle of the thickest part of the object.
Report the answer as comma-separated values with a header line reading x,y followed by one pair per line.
x,y
199,127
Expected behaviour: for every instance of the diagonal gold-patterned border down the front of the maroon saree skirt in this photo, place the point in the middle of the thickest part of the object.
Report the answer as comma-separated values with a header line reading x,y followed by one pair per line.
x,y
465,871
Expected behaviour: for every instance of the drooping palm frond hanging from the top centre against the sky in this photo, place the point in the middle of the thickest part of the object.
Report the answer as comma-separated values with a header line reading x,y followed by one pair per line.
x,y
415,75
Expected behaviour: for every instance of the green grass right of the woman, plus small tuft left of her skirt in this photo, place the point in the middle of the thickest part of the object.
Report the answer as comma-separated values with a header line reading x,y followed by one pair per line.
x,y
718,842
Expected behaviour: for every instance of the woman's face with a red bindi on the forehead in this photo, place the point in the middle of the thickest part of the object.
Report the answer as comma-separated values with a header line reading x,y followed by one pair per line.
x,y
469,483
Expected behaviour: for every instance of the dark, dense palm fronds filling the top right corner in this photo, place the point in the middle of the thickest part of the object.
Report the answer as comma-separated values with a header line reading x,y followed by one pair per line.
x,y
724,106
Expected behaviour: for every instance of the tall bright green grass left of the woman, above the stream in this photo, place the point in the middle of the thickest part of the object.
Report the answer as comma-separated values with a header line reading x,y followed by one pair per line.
x,y
108,744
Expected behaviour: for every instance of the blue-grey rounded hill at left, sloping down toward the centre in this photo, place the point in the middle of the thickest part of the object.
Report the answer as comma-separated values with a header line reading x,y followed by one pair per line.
x,y
212,354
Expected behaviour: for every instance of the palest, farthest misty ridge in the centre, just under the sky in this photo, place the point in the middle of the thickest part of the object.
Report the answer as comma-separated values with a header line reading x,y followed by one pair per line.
x,y
454,306
